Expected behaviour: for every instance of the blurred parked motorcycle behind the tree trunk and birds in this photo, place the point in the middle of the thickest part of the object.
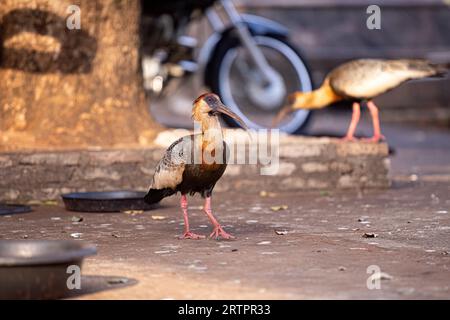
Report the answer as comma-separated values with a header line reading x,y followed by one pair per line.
x,y
248,60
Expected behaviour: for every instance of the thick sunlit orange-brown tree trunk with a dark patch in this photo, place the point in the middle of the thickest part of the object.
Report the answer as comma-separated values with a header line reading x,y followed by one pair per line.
x,y
63,88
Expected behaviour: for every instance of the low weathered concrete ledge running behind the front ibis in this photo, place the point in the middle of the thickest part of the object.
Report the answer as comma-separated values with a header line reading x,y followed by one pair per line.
x,y
305,163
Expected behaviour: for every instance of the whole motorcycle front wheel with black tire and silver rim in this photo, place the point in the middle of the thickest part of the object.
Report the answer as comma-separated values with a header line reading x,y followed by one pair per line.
x,y
235,81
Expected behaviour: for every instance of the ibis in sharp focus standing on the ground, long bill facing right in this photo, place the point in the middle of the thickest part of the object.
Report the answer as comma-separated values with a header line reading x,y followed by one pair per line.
x,y
194,163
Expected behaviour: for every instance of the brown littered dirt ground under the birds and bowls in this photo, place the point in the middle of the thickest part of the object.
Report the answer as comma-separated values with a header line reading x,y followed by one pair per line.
x,y
325,244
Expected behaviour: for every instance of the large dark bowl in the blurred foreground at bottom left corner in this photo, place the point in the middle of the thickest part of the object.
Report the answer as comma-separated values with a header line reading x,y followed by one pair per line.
x,y
37,269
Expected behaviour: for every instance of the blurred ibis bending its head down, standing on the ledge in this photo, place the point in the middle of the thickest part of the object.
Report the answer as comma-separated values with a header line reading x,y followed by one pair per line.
x,y
361,81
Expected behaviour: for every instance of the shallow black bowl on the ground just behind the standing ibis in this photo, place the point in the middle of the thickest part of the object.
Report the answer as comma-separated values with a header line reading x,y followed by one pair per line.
x,y
112,201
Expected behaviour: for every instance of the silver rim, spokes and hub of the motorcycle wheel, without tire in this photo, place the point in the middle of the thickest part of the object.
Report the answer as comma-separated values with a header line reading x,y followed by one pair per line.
x,y
236,72
